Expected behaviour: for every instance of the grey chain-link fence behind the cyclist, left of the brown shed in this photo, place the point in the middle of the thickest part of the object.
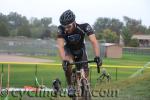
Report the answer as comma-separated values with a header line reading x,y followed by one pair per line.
x,y
34,47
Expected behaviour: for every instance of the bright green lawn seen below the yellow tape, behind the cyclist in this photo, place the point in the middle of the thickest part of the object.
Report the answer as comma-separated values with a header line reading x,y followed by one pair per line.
x,y
22,75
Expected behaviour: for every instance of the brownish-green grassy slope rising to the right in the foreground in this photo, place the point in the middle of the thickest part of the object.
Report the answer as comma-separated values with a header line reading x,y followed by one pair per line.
x,y
129,89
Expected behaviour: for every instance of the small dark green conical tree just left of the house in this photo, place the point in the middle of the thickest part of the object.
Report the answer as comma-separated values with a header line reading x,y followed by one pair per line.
x,y
126,35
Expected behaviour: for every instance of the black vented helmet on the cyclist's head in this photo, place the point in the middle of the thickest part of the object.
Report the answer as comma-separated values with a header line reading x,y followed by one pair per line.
x,y
67,17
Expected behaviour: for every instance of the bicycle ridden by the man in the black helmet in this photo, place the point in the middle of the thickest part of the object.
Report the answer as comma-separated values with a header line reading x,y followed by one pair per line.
x,y
80,83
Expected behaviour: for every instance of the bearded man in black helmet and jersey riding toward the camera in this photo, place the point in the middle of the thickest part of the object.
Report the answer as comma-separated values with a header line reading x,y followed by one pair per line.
x,y
71,46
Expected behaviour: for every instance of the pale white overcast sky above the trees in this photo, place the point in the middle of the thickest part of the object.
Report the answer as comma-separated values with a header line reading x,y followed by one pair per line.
x,y
85,10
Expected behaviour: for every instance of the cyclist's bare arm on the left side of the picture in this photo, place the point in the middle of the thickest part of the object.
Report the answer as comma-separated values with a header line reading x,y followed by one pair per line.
x,y
60,43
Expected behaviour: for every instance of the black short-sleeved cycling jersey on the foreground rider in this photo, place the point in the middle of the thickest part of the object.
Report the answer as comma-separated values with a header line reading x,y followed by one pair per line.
x,y
75,40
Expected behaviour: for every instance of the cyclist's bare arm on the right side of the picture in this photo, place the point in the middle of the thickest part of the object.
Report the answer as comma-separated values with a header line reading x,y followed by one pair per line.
x,y
95,44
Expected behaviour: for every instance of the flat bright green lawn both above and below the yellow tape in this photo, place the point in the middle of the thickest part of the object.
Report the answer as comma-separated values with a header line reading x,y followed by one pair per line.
x,y
21,75
